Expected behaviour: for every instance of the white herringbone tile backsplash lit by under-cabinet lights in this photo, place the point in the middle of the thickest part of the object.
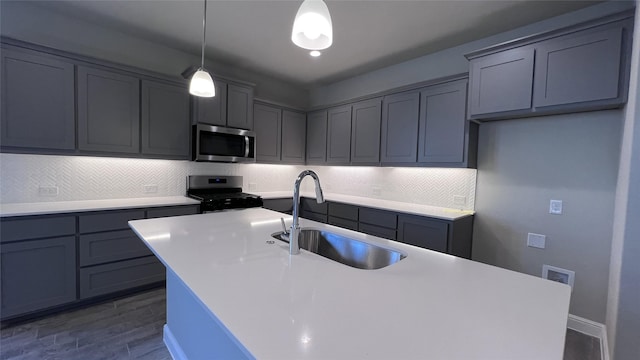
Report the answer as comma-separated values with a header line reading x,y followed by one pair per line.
x,y
29,178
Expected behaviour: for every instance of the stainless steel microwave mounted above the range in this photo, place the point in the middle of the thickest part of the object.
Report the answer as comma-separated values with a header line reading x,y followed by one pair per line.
x,y
217,143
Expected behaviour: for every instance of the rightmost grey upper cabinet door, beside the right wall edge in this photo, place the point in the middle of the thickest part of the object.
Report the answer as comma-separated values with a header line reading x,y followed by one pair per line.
x,y
578,68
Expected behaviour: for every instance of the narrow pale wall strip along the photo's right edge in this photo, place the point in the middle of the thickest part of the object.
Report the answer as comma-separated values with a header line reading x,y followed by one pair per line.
x,y
623,306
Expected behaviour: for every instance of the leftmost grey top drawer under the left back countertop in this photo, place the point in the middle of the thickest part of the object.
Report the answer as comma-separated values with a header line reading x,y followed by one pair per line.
x,y
36,227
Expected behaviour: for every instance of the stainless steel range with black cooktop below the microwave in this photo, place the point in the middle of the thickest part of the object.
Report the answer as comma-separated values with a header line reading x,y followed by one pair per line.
x,y
217,193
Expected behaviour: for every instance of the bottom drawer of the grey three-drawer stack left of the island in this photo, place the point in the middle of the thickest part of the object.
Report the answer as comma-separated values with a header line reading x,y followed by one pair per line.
x,y
108,278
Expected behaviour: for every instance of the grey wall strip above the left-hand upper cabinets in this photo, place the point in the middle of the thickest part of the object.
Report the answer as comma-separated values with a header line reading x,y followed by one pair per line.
x,y
25,20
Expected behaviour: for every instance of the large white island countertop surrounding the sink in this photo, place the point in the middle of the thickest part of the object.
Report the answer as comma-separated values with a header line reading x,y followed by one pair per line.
x,y
427,306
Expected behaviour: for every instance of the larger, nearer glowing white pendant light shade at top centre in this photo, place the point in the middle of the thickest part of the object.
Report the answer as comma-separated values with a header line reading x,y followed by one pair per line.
x,y
312,29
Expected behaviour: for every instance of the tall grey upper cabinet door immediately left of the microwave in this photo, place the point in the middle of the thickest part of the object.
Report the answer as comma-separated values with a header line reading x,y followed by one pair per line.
x,y
165,120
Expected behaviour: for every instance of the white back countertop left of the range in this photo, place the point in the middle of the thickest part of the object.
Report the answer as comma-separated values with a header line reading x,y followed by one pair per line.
x,y
55,207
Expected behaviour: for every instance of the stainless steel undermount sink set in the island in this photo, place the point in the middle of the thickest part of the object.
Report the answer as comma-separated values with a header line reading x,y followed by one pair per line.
x,y
345,250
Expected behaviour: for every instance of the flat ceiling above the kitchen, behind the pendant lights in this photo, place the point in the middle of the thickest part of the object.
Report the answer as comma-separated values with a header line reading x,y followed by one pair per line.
x,y
255,34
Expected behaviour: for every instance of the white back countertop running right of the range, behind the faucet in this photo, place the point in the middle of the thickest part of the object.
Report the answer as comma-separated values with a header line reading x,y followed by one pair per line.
x,y
409,208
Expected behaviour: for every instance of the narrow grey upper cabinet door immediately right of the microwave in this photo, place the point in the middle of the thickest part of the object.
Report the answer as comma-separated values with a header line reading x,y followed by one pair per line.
x,y
268,128
